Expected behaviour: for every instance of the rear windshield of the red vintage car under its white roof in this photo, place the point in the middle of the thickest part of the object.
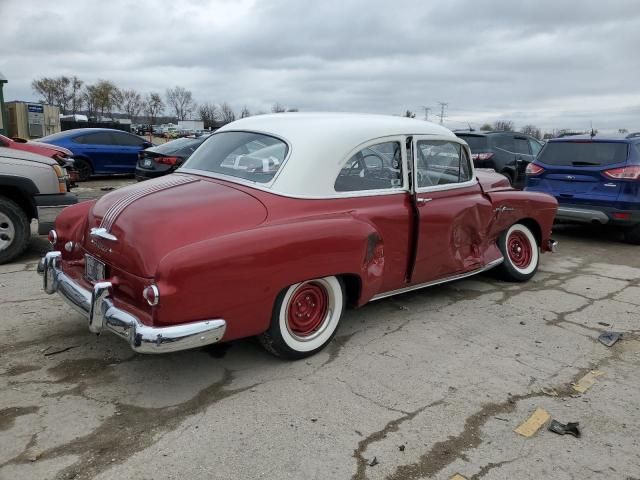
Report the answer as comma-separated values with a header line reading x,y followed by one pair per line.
x,y
251,156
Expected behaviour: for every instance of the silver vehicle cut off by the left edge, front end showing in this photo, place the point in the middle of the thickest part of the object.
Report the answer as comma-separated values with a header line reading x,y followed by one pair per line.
x,y
31,187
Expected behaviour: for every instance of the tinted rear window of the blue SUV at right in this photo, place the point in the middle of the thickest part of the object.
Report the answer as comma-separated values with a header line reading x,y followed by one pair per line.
x,y
583,153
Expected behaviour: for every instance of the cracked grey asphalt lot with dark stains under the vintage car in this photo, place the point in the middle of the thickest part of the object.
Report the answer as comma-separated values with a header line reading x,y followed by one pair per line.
x,y
422,385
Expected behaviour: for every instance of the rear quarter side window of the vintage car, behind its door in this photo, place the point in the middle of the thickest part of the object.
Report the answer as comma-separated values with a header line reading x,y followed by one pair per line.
x,y
376,167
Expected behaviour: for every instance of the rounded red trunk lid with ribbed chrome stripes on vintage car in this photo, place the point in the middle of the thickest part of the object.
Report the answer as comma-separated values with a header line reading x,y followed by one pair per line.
x,y
158,216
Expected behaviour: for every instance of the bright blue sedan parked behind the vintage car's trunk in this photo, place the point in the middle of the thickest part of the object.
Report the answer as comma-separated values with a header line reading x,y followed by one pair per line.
x,y
100,151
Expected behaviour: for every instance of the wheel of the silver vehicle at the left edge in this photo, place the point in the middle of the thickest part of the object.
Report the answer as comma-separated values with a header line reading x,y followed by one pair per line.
x,y
14,230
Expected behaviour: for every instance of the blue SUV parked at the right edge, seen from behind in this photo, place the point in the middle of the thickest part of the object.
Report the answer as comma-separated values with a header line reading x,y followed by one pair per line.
x,y
596,179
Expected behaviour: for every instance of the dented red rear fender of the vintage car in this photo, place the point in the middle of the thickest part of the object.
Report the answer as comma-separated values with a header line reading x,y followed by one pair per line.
x,y
238,277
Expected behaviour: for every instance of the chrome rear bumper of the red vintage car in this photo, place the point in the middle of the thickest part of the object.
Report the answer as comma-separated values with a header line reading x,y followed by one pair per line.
x,y
97,305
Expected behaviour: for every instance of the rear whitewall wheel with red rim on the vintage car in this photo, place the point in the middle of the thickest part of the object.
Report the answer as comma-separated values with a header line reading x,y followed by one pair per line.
x,y
305,318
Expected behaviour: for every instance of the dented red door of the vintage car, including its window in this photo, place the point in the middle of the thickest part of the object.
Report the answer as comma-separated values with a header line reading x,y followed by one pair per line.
x,y
453,215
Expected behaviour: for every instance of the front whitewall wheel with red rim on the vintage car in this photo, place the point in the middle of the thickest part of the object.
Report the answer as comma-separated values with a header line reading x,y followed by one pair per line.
x,y
521,253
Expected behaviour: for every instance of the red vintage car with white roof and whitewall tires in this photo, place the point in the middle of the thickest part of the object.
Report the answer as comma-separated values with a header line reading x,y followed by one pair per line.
x,y
278,222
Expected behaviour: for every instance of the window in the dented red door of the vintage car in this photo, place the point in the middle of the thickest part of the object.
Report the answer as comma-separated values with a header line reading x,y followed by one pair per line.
x,y
441,162
